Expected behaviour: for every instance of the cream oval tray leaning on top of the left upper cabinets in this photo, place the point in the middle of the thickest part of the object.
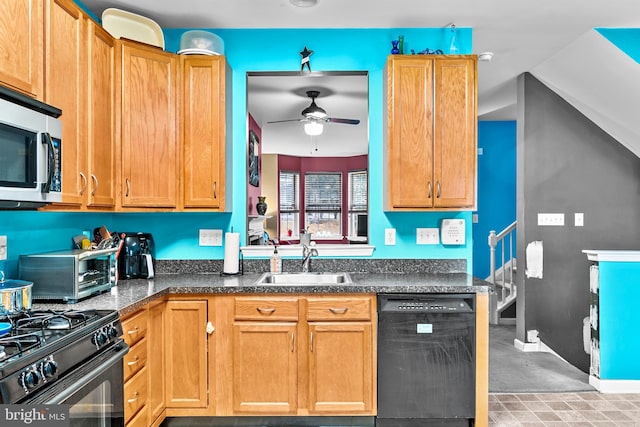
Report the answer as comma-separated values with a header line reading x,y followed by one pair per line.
x,y
122,24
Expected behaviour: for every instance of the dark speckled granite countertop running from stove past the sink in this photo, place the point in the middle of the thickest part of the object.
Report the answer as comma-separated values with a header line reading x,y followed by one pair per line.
x,y
129,295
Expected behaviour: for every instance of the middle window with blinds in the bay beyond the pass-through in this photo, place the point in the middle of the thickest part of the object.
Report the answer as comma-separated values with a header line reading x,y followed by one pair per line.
x,y
323,205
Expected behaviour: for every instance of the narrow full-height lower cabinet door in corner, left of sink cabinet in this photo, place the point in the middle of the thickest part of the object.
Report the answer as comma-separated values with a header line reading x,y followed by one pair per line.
x,y
186,354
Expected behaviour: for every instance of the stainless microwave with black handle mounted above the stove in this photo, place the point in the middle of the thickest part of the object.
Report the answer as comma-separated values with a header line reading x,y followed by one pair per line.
x,y
30,152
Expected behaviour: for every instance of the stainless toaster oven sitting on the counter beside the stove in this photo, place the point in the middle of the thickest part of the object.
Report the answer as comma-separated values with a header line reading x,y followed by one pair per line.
x,y
69,275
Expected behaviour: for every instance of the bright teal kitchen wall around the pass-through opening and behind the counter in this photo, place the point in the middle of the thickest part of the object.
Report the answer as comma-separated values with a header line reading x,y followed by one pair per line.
x,y
176,234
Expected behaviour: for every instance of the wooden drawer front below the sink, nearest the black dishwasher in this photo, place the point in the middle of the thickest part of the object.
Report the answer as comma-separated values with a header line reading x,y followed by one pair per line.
x,y
355,308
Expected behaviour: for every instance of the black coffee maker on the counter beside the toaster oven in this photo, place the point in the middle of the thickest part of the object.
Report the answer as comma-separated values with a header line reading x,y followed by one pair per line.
x,y
137,256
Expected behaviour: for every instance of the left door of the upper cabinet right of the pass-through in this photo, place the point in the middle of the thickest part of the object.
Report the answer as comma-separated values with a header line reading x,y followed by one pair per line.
x,y
410,132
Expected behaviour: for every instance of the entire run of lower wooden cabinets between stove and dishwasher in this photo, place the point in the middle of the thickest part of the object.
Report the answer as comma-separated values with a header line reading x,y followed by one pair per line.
x,y
228,355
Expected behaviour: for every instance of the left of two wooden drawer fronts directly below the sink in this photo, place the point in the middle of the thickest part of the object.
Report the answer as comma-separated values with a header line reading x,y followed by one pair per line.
x,y
255,308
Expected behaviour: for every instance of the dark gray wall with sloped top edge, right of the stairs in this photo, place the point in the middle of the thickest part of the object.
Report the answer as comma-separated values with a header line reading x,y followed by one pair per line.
x,y
567,164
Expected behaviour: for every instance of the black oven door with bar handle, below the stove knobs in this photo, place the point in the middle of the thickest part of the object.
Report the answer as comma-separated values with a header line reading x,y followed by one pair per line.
x,y
93,392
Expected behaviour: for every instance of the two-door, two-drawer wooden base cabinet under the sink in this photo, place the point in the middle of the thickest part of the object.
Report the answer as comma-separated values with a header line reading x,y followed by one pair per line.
x,y
298,355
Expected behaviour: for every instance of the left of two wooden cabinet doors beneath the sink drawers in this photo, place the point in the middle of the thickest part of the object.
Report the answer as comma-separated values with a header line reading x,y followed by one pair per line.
x,y
264,368
